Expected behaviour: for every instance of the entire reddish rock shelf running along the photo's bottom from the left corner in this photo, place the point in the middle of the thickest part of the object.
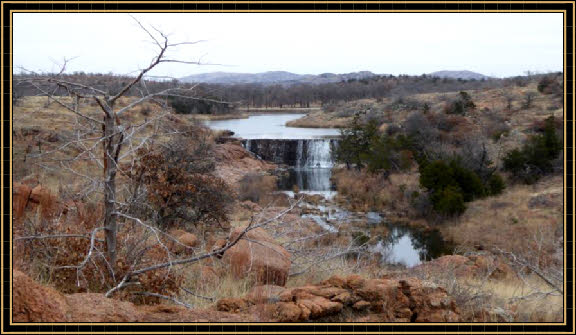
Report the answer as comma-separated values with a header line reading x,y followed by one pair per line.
x,y
352,299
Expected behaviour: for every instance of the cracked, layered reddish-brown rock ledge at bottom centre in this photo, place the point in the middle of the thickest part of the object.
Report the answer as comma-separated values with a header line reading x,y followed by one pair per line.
x,y
352,298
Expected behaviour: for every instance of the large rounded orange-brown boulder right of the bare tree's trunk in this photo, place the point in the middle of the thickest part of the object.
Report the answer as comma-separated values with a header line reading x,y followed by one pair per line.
x,y
259,255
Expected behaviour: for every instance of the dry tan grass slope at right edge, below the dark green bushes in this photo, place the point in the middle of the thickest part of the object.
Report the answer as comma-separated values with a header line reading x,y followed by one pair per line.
x,y
515,221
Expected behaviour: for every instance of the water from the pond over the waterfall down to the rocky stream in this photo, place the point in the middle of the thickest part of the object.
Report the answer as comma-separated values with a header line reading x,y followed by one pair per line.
x,y
306,159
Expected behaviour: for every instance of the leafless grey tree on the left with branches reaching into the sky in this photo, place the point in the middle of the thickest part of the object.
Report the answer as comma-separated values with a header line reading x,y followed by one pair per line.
x,y
108,133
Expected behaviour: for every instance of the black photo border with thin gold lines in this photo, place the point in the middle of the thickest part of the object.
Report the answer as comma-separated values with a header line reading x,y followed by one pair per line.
x,y
320,7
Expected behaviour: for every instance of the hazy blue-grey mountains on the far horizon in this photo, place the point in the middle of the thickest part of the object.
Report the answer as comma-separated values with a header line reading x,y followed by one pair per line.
x,y
289,78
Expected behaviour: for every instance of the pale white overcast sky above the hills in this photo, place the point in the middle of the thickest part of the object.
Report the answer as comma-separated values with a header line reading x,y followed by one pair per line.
x,y
495,44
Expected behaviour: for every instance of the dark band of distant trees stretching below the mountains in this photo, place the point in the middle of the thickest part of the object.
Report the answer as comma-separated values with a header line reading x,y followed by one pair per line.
x,y
299,95
